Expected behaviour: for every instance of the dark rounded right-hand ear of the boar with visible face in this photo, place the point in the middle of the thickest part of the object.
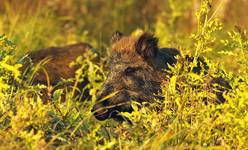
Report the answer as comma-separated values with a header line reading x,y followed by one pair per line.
x,y
147,45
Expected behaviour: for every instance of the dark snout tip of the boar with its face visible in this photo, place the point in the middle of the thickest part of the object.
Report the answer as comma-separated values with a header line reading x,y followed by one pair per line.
x,y
100,112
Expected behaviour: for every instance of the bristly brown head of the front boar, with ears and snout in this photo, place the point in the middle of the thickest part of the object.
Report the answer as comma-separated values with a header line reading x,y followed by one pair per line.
x,y
136,72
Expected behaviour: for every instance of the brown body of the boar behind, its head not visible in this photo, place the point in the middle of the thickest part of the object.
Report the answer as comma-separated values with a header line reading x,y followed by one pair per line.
x,y
56,66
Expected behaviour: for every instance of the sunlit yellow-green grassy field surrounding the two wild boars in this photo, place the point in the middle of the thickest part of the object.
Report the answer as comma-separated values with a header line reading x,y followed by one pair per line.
x,y
216,30
